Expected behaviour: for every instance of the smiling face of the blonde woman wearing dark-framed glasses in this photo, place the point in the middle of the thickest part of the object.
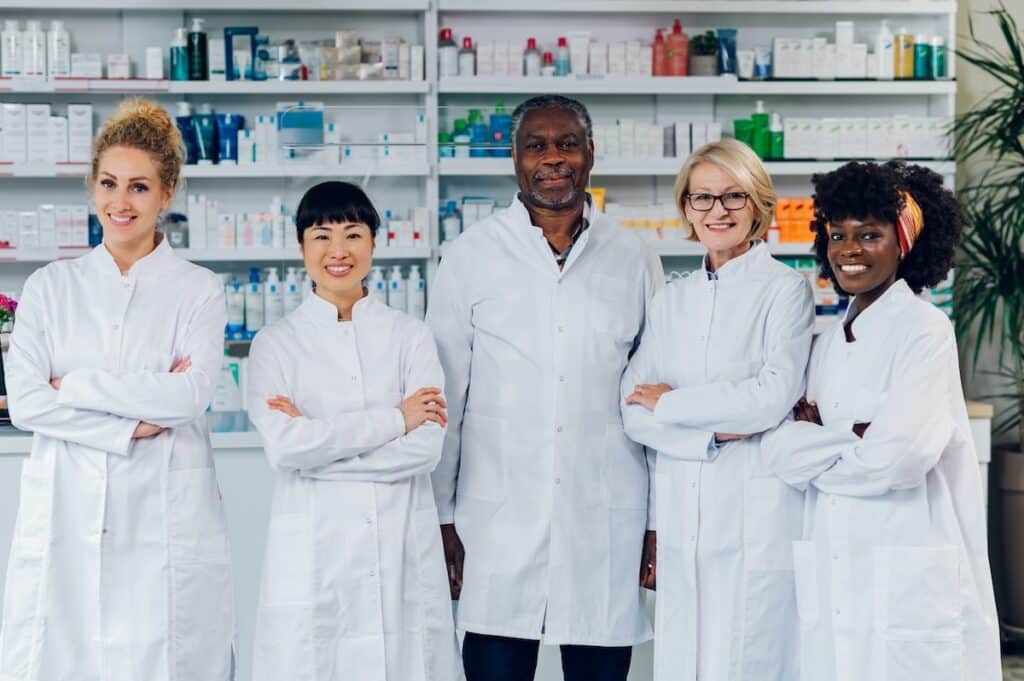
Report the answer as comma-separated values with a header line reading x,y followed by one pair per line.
x,y
721,231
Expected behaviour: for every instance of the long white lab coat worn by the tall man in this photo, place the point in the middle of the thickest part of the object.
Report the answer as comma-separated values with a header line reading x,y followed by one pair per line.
x,y
546,492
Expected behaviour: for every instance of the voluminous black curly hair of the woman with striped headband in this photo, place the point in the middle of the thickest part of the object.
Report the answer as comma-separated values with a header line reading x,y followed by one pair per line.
x,y
861,191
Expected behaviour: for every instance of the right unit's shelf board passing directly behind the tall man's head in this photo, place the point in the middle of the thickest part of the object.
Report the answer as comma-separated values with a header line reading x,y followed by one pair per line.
x,y
659,167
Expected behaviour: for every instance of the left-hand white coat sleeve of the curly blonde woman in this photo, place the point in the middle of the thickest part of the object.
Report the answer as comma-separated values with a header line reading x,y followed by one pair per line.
x,y
33,402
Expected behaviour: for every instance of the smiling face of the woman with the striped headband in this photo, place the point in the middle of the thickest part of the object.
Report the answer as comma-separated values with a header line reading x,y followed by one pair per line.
x,y
865,257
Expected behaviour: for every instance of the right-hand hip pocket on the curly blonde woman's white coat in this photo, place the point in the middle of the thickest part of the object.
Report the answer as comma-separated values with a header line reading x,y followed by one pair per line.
x,y
196,518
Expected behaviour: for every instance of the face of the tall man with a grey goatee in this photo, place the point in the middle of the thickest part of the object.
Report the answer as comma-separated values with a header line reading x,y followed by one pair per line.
x,y
553,159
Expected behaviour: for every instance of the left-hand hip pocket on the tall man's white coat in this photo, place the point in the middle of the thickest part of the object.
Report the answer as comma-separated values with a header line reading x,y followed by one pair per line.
x,y
482,466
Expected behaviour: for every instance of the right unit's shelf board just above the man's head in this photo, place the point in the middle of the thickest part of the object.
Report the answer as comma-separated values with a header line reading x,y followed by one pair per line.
x,y
711,86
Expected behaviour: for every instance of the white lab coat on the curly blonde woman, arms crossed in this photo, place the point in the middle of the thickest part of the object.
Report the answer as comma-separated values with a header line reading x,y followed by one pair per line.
x,y
120,568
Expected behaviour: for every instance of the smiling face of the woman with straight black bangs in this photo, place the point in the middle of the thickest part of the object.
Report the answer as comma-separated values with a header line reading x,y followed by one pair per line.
x,y
338,257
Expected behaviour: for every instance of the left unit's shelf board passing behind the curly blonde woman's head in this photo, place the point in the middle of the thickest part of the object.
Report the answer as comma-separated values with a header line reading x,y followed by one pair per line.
x,y
231,172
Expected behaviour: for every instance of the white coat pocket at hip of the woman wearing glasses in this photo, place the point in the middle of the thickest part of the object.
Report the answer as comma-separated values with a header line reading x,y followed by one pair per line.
x,y
773,518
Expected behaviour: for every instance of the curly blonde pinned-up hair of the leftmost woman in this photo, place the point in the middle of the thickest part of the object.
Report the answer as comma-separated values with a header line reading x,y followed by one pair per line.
x,y
144,125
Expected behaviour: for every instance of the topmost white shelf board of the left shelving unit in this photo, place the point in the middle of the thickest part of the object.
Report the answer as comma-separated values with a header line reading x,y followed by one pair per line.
x,y
229,6
